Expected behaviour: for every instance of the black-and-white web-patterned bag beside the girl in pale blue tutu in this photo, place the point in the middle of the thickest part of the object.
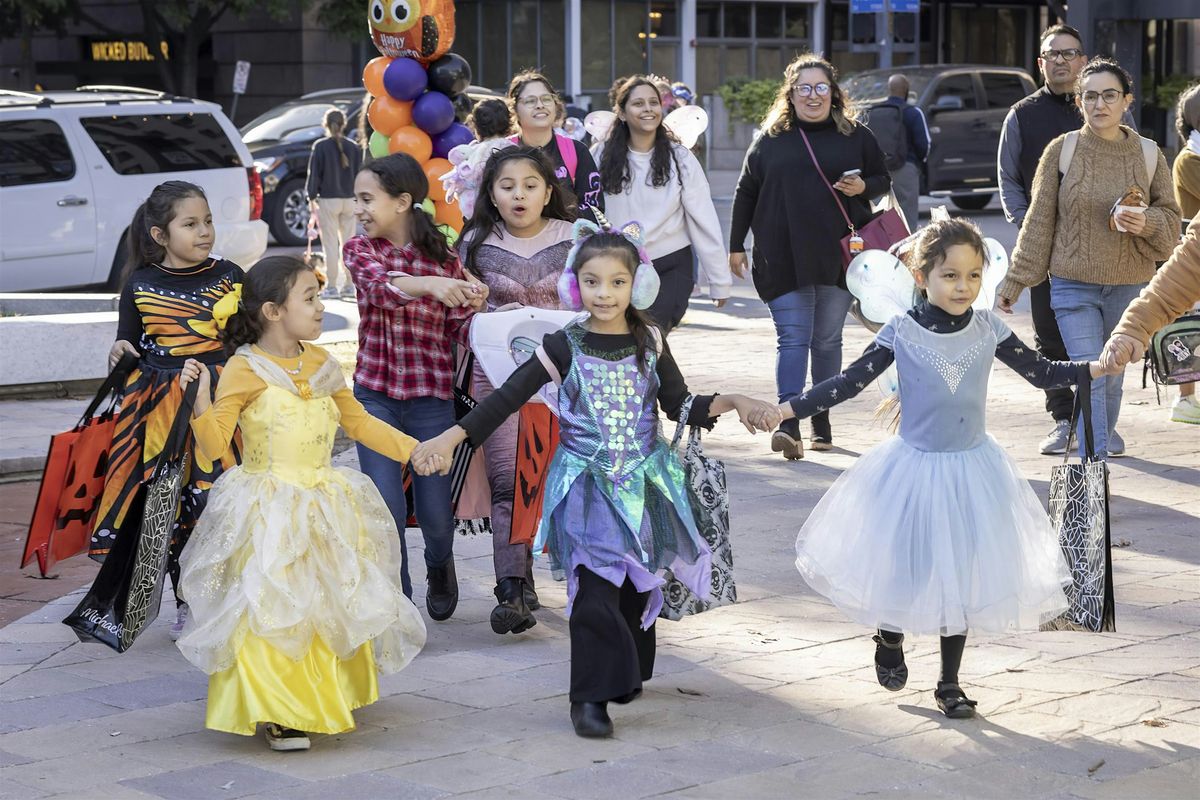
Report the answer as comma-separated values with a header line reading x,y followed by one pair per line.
x,y
1079,513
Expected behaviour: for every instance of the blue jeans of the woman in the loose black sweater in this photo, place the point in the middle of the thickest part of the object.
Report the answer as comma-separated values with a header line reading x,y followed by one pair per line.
x,y
808,321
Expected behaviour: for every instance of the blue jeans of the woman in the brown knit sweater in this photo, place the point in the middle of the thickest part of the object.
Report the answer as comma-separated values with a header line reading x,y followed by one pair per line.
x,y
1087,315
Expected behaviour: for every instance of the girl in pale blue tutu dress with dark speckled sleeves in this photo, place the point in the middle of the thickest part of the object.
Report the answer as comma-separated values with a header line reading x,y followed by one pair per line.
x,y
935,531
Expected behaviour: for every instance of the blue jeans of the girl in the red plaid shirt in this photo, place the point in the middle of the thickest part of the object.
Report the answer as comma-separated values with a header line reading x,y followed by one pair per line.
x,y
422,418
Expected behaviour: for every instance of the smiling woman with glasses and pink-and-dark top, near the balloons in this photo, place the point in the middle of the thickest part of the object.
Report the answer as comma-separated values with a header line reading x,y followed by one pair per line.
x,y
538,107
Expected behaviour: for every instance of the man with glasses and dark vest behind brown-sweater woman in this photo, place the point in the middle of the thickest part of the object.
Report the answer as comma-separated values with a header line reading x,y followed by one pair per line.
x,y
1033,124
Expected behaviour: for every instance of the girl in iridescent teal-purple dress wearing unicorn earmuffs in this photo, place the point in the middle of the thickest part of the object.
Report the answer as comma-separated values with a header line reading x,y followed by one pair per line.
x,y
616,510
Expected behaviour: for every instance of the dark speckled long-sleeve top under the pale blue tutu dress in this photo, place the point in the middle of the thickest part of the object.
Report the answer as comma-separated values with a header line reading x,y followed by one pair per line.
x,y
1024,360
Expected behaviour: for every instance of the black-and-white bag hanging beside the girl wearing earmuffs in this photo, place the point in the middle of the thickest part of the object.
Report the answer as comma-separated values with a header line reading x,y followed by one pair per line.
x,y
710,501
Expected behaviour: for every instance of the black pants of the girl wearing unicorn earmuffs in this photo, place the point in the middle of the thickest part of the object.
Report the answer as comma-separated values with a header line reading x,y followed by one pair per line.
x,y
611,655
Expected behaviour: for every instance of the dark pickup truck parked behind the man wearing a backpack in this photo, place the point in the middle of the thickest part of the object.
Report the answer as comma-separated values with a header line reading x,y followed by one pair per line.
x,y
965,106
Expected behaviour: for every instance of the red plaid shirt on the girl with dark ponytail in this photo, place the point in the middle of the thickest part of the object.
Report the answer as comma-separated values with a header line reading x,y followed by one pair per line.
x,y
405,344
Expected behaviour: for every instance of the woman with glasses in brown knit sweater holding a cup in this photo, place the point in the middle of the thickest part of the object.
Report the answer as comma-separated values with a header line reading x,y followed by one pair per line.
x,y
1100,218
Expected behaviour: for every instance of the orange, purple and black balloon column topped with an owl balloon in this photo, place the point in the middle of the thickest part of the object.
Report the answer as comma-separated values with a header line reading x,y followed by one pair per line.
x,y
418,91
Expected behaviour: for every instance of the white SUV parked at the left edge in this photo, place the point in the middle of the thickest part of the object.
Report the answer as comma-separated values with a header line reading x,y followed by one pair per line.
x,y
76,165
